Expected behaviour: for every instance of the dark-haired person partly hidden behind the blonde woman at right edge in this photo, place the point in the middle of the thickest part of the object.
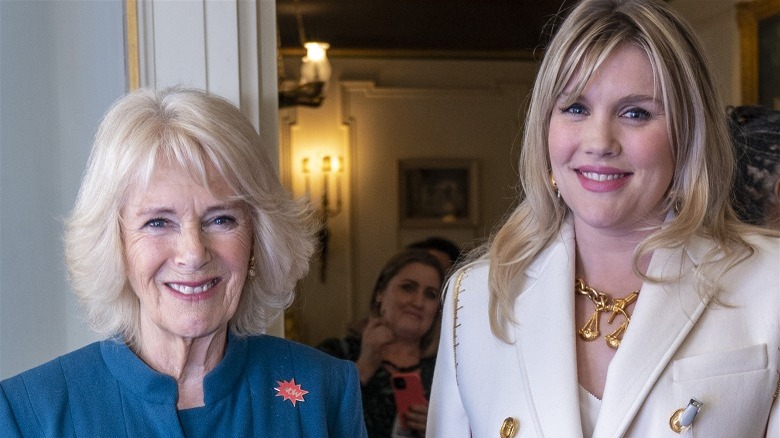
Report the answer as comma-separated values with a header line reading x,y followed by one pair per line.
x,y
755,131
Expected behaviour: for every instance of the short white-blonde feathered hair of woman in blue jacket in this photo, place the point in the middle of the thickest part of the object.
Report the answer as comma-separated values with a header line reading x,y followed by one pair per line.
x,y
192,128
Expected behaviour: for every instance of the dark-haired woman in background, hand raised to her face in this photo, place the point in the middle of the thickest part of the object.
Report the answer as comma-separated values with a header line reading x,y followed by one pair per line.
x,y
403,322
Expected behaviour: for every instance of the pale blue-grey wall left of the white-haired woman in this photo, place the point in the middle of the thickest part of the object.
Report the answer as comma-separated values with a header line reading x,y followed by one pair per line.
x,y
61,66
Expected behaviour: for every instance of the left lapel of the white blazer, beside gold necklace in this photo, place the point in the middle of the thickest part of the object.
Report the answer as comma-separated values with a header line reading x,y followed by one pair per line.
x,y
545,343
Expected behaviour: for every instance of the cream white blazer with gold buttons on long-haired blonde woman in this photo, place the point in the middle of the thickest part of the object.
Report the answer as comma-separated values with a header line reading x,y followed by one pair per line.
x,y
676,348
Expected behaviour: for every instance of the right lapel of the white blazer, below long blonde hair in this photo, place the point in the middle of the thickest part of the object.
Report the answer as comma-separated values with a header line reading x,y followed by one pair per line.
x,y
663,317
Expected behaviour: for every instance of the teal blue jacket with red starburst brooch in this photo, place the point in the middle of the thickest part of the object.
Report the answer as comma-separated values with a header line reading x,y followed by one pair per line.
x,y
105,390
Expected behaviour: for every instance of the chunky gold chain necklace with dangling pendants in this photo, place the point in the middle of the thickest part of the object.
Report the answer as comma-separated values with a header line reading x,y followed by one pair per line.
x,y
604,303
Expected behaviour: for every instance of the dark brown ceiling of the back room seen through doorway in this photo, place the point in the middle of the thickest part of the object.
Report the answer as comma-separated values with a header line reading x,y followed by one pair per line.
x,y
420,28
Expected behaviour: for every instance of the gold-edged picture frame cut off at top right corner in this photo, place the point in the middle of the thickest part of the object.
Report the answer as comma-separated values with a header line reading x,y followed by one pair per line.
x,y
759,29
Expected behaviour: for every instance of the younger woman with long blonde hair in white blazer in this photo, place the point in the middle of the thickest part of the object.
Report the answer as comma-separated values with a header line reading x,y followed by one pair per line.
x,y
622,297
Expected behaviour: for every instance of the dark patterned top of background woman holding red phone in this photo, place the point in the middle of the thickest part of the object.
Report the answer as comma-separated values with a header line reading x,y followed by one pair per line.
x,y
378,403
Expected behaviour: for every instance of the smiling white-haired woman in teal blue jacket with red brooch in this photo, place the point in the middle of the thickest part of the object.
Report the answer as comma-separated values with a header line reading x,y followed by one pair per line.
x,y
182,247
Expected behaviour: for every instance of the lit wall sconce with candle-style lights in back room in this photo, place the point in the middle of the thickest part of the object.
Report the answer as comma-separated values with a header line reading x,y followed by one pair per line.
x,y
329,167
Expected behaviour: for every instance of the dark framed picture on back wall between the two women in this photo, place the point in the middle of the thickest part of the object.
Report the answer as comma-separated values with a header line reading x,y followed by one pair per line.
x,y
438,193
